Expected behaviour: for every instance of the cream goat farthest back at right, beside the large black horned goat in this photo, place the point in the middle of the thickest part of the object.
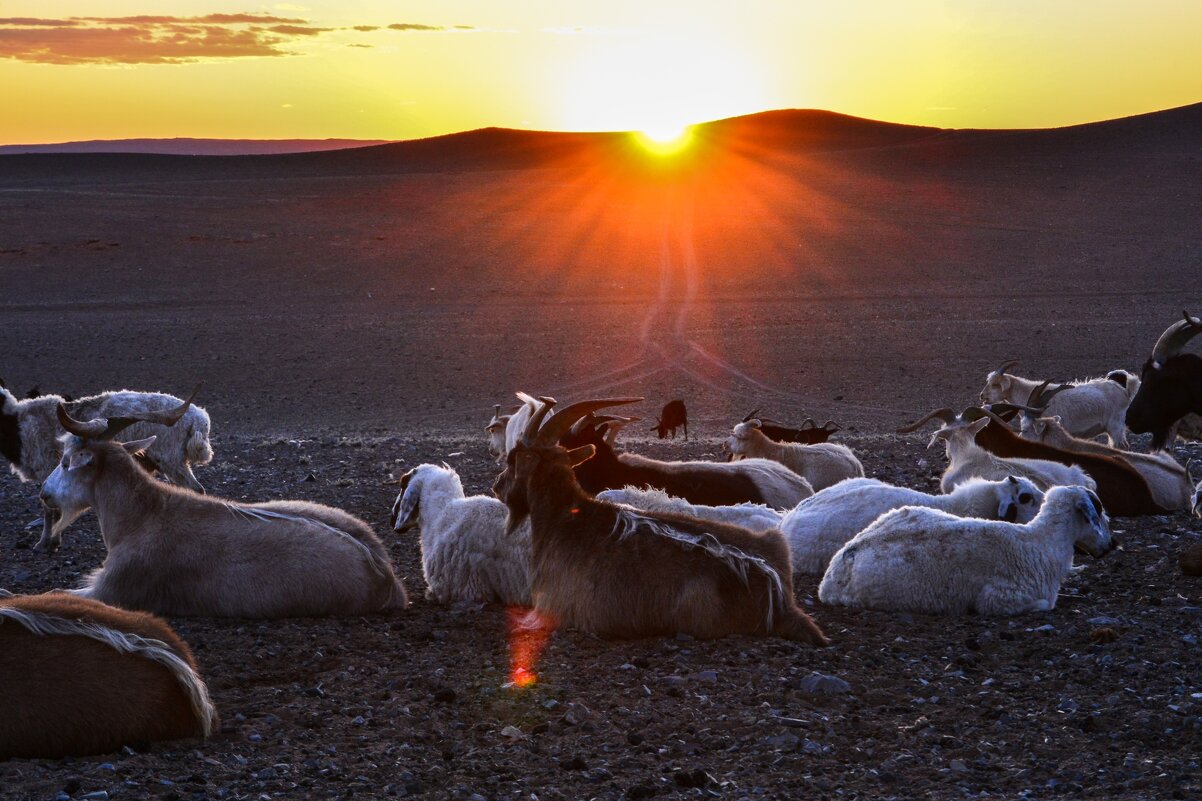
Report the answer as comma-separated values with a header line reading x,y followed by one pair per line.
x,y
1088,408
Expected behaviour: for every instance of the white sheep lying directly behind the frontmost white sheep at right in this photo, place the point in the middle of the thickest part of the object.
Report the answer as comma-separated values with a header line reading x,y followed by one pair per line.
x,y
823,525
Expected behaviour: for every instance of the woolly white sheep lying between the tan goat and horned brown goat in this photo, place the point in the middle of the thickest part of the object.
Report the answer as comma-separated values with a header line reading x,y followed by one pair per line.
x,y
467,555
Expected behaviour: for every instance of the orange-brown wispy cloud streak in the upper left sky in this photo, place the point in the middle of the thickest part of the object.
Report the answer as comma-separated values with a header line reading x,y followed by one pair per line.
x,y
151,39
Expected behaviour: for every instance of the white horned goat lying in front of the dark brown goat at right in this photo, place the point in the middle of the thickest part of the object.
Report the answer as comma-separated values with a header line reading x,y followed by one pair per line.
x,y
967,460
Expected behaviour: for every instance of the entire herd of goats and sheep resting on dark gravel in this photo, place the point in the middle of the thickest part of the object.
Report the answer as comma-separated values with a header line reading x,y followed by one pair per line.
x,y
608,543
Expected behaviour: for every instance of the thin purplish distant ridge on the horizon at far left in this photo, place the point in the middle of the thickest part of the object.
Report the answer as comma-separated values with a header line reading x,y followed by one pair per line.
x,y
189,146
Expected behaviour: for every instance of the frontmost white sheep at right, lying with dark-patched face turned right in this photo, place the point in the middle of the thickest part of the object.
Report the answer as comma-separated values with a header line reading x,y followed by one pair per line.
x,y
918,560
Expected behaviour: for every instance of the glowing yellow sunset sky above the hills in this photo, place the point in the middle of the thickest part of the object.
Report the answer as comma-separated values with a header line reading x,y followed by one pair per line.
x,y
397,70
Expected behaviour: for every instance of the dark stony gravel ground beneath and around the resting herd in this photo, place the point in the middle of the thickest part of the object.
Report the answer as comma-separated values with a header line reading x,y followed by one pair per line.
x,y
1100,698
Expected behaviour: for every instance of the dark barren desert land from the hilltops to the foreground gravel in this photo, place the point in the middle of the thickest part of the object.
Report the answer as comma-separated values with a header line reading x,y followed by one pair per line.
x,y
358,313
